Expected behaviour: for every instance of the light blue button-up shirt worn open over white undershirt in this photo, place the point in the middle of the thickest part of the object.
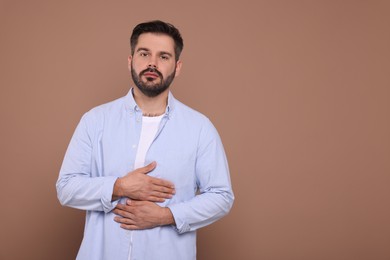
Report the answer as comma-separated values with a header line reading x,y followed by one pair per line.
x,y
188,152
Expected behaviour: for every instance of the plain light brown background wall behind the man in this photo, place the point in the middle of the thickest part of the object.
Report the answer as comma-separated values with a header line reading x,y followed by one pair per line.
x,y
299,90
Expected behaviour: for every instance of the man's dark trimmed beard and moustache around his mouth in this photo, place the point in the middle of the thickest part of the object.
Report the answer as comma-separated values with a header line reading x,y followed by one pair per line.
x,y
151,88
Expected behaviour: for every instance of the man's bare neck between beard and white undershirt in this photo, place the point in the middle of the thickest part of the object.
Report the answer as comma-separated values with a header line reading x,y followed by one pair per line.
x,y
151,106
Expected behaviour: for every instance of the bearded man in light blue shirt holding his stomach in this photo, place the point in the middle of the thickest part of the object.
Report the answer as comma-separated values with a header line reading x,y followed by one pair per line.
x,y
136,211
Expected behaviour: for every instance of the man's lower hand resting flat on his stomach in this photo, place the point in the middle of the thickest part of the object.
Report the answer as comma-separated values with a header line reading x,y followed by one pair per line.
x,y
142,215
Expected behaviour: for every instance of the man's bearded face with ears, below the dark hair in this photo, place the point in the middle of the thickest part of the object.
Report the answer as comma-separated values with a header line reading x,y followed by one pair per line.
x,y
153,66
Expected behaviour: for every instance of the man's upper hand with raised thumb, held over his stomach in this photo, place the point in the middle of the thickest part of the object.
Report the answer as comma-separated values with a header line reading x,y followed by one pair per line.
x,y
138,185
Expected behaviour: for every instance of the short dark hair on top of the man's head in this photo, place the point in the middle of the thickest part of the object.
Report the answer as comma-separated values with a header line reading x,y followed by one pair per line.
x,y
157,26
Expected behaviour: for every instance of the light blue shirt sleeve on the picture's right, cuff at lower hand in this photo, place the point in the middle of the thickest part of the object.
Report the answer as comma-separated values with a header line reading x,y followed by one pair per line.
x,y
215,197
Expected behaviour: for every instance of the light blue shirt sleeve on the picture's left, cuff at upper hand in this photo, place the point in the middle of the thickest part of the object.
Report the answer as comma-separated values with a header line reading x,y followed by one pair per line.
x,y
75,185
